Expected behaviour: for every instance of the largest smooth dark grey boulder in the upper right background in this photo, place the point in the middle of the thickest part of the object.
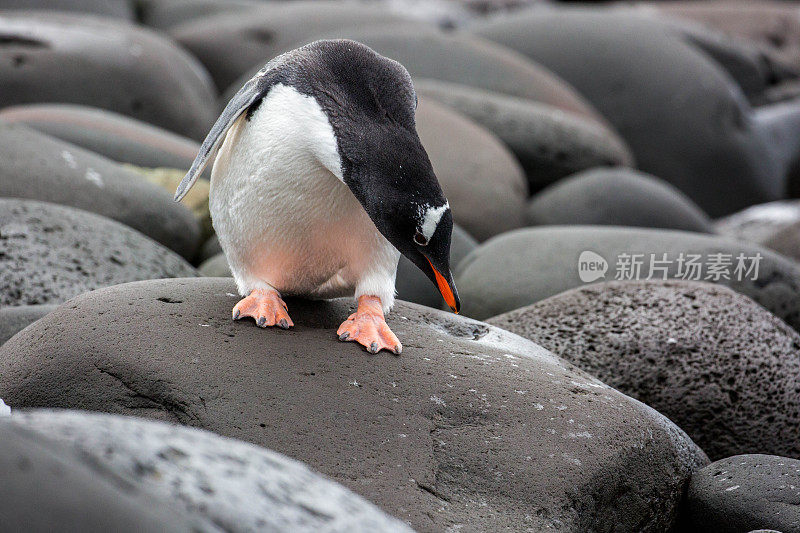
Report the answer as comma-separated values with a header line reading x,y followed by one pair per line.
x,y
680,113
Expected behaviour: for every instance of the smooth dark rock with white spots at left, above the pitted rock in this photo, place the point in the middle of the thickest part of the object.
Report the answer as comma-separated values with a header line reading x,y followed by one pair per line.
x,y
40,167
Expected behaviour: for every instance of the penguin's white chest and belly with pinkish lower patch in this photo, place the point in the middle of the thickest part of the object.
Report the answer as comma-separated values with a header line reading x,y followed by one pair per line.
x,y
281,211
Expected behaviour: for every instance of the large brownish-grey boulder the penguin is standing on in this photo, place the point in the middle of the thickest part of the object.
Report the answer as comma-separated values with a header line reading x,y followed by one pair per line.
x,y
411,433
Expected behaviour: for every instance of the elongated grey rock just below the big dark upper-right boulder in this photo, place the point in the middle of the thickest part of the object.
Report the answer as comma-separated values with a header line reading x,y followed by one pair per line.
x,y
548,142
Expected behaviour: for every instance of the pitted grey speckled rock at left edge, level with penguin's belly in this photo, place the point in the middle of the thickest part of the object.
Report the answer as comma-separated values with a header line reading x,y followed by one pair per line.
x,y
49,253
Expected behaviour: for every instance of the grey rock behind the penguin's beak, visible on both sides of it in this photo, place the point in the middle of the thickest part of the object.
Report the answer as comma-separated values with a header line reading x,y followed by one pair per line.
x,y
414,286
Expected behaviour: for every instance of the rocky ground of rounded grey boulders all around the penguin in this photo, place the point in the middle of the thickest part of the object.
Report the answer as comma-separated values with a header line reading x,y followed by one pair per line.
x,y
622,179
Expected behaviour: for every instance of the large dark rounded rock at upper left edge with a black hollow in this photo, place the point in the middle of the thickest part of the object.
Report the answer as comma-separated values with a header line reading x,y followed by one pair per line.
x,y
55,57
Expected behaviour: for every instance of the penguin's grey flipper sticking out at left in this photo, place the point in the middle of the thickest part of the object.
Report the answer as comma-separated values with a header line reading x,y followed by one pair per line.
x,y
254,90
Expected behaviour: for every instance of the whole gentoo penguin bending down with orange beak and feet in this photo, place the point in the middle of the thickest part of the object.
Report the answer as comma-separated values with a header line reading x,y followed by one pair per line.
x,y
320,182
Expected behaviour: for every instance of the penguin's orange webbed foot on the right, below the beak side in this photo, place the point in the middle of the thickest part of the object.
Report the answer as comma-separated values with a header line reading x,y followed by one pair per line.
x,y
368,327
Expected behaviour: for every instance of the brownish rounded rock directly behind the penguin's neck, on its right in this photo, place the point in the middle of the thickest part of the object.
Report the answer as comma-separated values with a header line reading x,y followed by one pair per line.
x,y
482,180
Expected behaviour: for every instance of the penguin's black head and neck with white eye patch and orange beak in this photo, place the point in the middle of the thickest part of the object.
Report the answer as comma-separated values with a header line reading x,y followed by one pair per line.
x,y
370,102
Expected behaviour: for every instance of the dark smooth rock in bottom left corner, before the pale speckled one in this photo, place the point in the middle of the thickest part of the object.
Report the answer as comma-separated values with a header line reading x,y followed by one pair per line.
x,y
45,487
